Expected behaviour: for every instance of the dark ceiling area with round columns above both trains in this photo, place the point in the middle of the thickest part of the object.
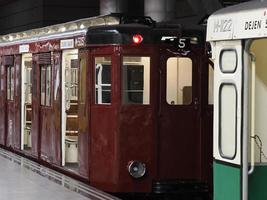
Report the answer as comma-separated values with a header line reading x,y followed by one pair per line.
x,y
20,15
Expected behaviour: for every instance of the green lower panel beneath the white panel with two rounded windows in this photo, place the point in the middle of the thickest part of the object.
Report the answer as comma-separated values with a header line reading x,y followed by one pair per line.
x,y
226,182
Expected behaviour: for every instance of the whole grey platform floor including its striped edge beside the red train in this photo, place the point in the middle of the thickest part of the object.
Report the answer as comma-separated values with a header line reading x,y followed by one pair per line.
x,y
19,181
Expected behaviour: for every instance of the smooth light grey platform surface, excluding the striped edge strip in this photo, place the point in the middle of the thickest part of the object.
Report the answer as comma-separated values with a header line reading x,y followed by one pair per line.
x,y
20,183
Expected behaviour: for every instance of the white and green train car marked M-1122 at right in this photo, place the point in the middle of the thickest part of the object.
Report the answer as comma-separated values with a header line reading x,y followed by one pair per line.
x,y
238,37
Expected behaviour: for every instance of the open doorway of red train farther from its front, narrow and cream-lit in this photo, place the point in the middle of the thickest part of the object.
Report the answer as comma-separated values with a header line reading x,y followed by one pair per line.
x,y
26,102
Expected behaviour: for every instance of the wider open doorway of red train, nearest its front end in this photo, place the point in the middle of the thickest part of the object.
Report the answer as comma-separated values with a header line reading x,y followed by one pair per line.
x,y
69,117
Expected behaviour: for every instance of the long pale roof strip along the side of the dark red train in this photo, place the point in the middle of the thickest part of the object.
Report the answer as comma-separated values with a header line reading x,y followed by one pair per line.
x,y
68,29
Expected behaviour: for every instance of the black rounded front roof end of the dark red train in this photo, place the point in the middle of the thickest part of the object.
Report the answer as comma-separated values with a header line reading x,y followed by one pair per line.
x,y
151,34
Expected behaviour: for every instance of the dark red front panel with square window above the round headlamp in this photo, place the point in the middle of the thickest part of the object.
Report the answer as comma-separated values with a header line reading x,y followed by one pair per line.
x,y
137,117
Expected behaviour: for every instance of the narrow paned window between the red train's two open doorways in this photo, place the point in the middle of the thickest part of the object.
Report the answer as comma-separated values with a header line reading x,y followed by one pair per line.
x,y
45,85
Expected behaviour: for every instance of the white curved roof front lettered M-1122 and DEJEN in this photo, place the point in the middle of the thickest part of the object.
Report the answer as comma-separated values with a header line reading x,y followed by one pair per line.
x,y
242,21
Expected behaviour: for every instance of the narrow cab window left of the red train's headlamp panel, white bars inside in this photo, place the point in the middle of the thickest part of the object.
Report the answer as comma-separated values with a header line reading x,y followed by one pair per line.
x,y
103,80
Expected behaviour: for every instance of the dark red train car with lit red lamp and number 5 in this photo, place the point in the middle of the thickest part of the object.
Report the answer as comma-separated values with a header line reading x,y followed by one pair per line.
x,y
125,106
